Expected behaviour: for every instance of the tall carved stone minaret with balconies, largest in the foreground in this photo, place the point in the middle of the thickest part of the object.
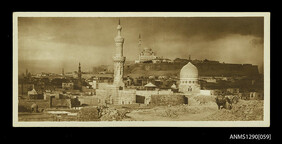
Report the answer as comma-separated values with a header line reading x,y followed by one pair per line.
x,y
119,59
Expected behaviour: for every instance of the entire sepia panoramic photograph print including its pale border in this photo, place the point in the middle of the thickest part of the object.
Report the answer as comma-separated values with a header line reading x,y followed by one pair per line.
x,y
176,69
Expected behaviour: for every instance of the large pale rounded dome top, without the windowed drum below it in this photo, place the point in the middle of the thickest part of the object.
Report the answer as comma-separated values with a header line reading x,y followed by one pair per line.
x,y
189,71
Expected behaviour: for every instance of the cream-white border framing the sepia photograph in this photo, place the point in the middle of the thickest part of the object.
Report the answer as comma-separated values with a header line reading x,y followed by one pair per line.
x,y
264,123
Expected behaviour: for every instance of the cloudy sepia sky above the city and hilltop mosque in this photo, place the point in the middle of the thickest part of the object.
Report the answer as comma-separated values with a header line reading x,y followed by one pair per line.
x,y
48,44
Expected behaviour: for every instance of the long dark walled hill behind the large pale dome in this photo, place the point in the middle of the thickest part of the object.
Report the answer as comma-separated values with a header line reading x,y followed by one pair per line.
x,y
205,69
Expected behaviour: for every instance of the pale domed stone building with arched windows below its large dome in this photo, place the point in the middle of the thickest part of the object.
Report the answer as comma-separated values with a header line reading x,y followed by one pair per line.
x,y
189,79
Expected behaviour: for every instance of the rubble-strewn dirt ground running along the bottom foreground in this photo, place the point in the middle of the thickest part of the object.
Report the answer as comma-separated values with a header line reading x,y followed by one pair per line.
x,y
197,109
